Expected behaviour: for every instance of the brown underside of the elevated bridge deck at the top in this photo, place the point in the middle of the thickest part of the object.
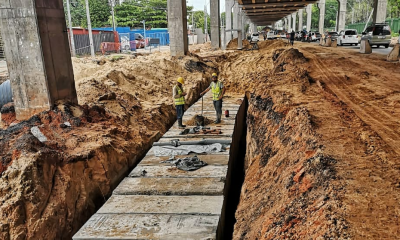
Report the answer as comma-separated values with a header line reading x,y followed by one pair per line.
x,y
268,11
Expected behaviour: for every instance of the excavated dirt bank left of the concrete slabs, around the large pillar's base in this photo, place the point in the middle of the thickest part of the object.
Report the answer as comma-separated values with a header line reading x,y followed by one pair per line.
x,y
49,189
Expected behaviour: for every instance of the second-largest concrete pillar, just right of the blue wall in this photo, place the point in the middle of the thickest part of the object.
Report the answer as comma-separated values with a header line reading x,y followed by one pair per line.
x,y
177,25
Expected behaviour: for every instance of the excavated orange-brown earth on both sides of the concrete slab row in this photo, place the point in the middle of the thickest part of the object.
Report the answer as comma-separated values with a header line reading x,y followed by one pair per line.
x,y
322,155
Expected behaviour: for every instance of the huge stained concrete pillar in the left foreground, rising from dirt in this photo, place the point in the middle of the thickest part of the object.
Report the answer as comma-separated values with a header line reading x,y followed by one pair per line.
x,y
38,55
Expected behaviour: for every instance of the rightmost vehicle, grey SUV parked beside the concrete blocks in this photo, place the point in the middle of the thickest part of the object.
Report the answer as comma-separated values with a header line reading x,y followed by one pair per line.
x,y
378,34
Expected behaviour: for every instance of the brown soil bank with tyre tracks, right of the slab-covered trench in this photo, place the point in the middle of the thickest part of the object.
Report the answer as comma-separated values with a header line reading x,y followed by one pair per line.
x,y
323,158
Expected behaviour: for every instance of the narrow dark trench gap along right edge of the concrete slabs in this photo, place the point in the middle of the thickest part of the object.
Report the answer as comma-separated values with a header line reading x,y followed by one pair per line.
x,y
236,174
